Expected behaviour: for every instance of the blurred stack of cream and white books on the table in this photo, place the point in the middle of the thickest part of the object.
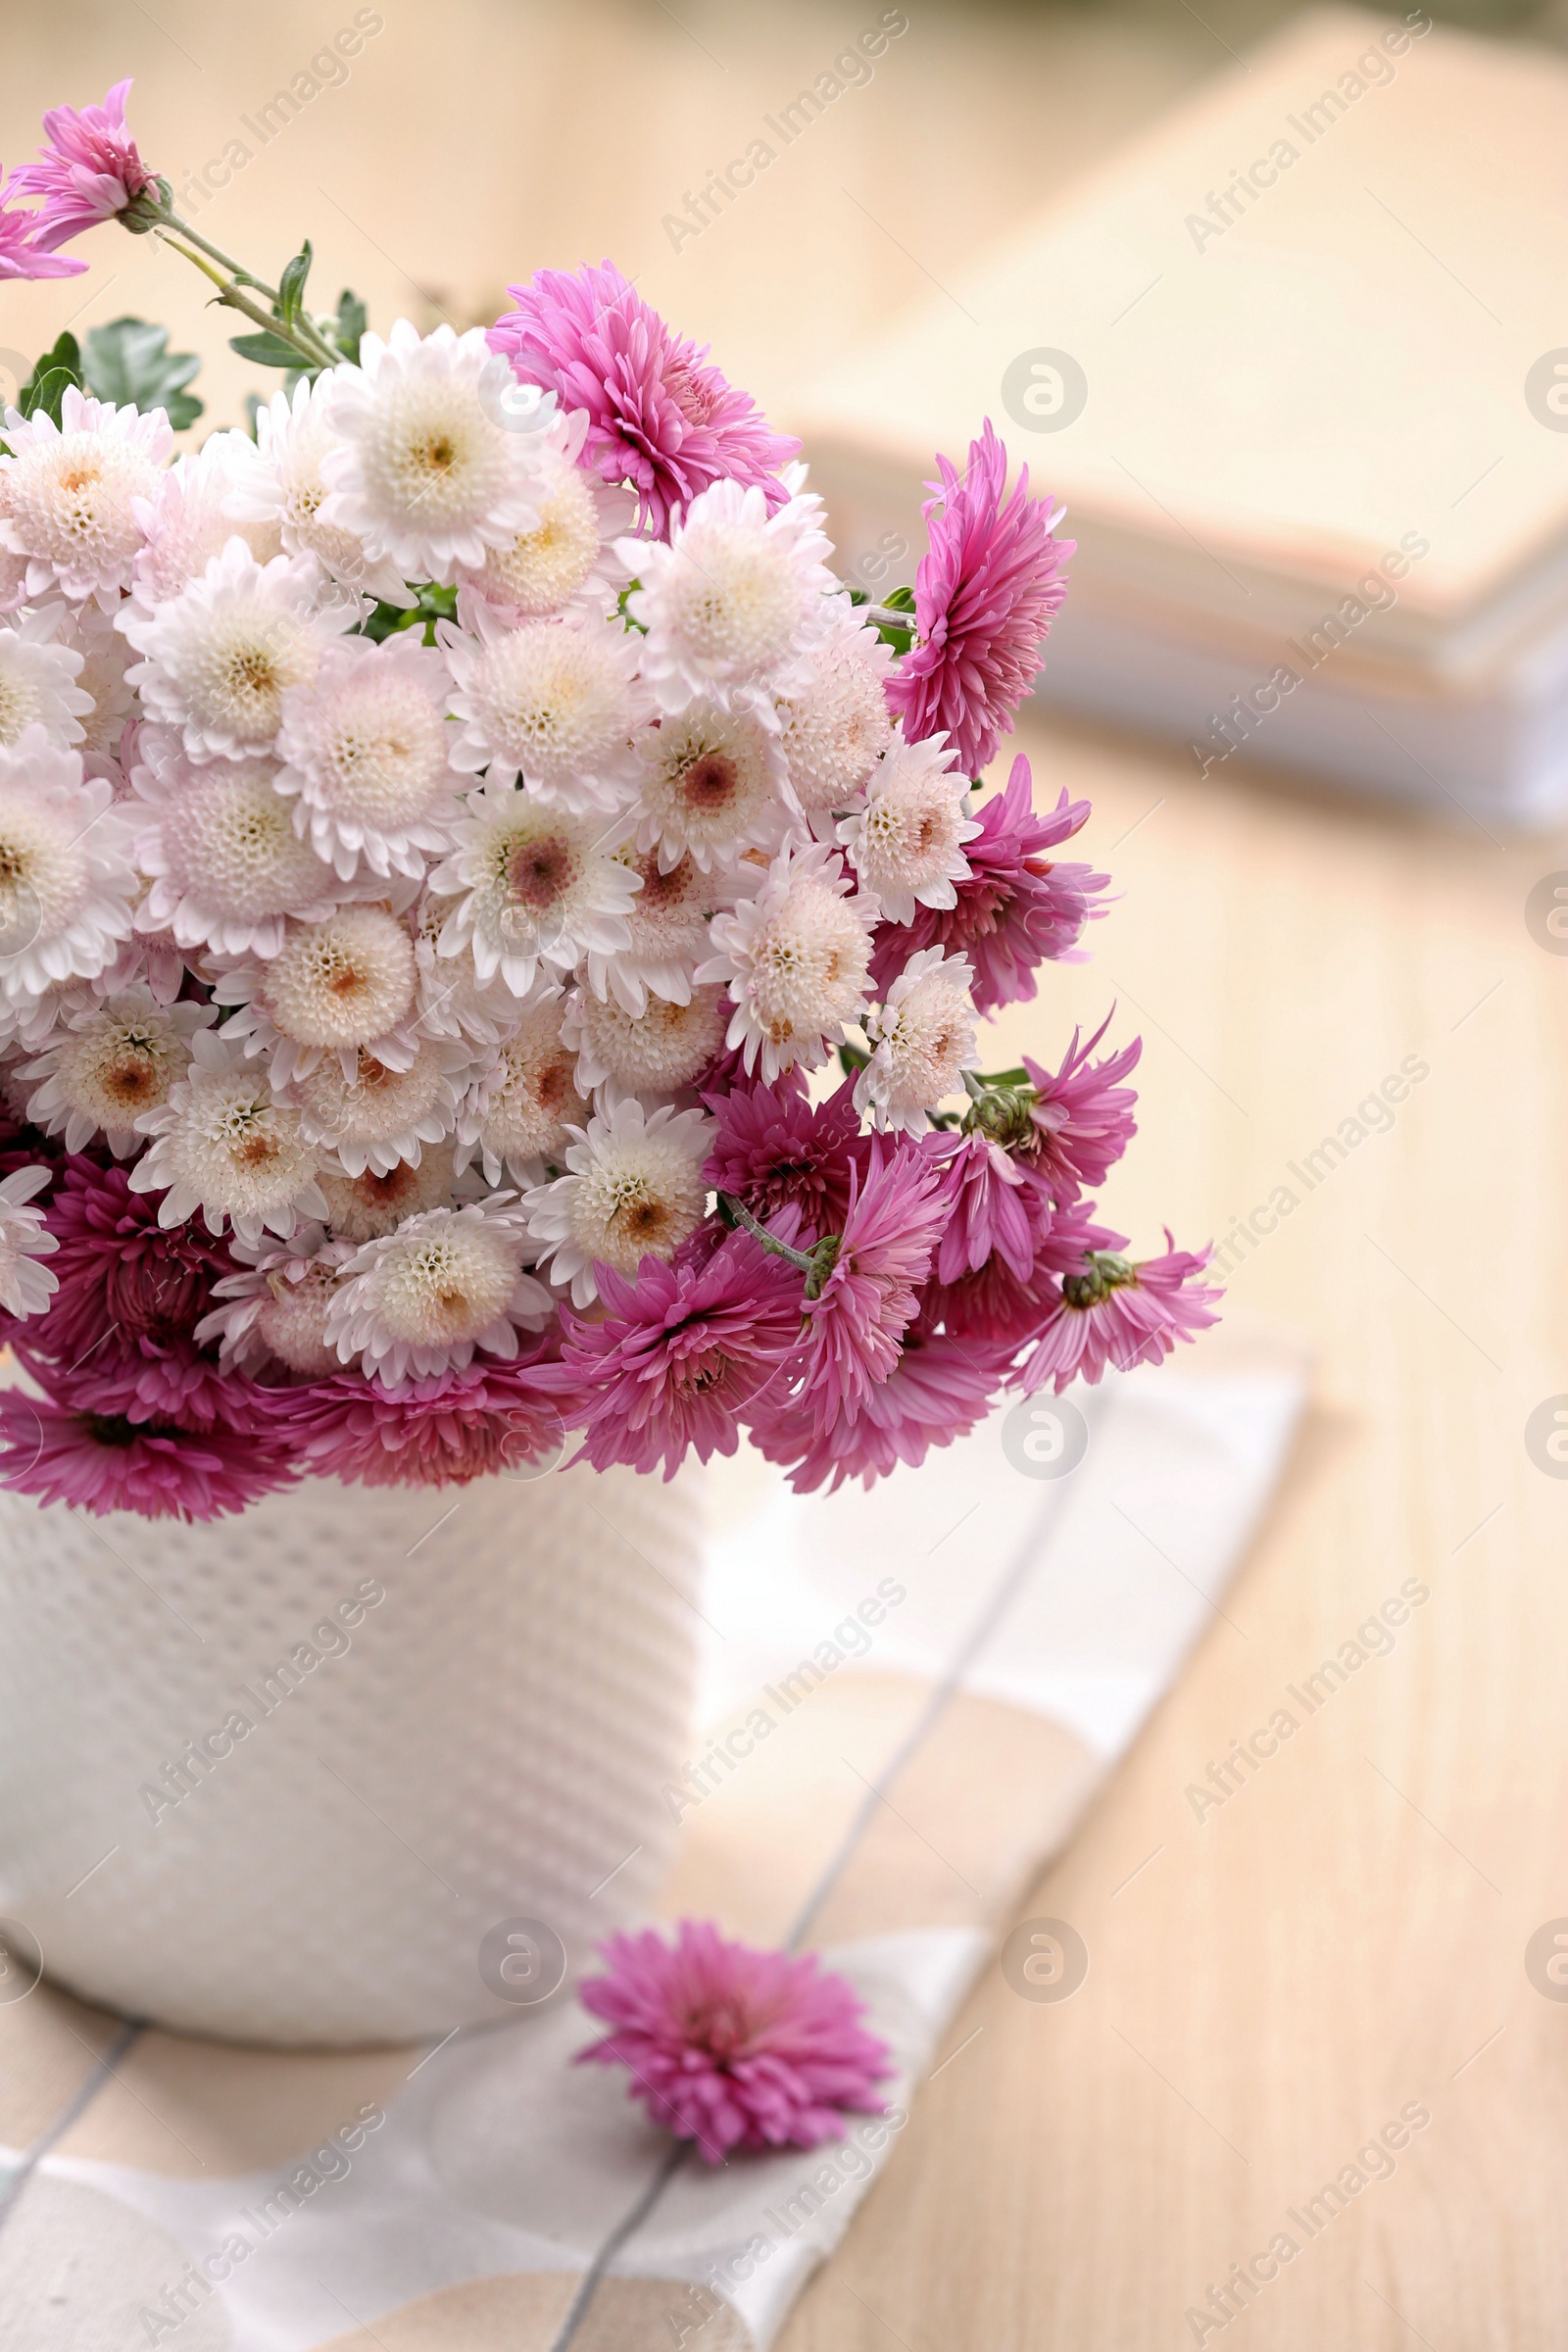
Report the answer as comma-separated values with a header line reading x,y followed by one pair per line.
x,y
1299,368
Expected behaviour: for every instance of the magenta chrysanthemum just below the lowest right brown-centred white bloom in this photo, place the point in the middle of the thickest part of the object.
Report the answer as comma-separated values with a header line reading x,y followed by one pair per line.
x,y
681,1356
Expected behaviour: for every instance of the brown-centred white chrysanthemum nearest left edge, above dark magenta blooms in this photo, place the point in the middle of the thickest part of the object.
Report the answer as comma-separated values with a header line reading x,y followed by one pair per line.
x,y
107,1064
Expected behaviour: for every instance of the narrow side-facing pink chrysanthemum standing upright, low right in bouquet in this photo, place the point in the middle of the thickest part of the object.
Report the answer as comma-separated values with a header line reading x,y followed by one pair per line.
x,y
869,1299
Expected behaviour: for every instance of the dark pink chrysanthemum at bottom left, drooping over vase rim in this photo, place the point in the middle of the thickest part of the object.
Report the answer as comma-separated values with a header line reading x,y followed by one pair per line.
x,y
102,1462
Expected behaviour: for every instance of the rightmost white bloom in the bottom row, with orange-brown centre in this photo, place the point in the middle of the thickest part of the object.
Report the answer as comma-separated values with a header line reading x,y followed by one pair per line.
x,y
634,1191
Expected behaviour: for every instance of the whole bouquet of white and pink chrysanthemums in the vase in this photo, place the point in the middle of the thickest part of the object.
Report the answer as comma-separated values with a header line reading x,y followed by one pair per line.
x,y
492,928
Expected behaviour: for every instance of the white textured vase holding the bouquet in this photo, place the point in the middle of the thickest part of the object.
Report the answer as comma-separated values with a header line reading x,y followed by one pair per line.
x,y
283,1777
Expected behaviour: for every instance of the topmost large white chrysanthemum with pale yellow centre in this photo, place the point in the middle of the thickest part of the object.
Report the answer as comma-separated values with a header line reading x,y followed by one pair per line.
x,y
424,474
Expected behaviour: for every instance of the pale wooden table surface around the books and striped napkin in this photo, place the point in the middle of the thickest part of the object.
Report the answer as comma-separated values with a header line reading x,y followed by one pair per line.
x,y
1343,1939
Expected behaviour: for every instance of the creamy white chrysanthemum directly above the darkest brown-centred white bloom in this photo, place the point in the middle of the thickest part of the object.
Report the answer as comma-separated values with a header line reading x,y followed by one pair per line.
x,y
551,702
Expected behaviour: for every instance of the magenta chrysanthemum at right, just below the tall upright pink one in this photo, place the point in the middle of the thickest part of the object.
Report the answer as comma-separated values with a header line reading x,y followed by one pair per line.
x,y
1017,909
